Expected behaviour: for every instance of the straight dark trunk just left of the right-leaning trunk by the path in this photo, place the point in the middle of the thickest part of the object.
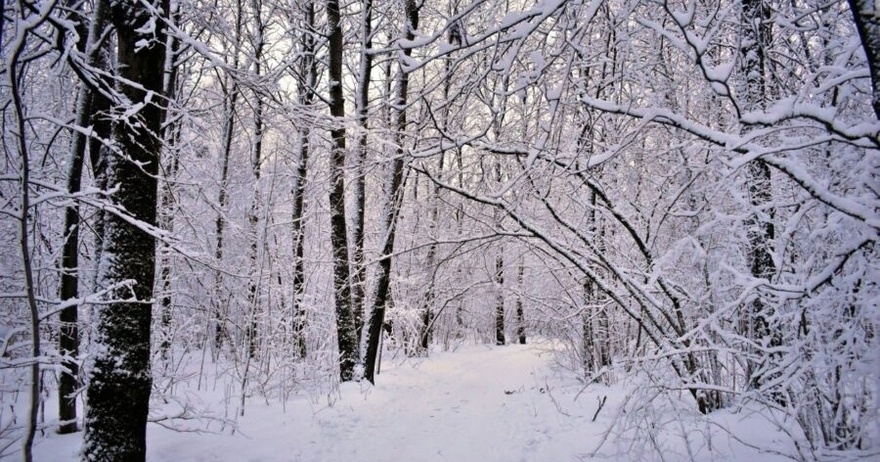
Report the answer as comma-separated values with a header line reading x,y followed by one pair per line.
x,y
347,340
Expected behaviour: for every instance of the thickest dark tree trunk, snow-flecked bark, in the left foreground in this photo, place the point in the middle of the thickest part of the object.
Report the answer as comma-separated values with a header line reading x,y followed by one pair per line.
x,y
120,382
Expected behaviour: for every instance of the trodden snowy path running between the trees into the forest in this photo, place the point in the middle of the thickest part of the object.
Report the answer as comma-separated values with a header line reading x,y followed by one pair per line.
x,y
479,406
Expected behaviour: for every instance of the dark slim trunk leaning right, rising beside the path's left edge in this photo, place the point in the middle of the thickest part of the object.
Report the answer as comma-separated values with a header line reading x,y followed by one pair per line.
x,y
393,198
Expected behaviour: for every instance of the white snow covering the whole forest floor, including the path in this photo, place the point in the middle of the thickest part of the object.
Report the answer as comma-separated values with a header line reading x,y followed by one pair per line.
x,y
478,404
